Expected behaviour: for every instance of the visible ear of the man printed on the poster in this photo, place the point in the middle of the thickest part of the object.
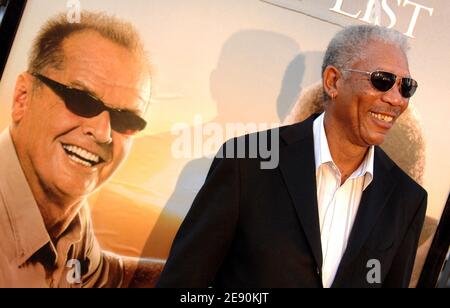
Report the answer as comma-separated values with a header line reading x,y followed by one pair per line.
x,y
22,96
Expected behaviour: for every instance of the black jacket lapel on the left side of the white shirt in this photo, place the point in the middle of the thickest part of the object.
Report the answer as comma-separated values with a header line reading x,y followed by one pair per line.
x,y
297,166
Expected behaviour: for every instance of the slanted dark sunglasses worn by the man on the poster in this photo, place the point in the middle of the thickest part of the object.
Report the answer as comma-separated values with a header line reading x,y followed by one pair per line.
x,y
86,105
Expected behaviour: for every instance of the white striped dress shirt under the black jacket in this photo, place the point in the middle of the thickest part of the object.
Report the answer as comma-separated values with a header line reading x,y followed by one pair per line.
x,y
338,204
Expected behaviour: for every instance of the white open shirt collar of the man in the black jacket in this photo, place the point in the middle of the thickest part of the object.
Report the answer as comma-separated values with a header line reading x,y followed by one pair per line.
x,y
323,156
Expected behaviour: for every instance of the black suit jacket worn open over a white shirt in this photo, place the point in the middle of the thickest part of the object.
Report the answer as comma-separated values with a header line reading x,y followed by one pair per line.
x,y
250,227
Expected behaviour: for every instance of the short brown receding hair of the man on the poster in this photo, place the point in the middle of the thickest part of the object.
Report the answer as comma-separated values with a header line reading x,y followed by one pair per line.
x,y
47,50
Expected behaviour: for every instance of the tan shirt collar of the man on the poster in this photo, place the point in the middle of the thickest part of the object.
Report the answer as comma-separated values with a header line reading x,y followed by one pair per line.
x,y
25,217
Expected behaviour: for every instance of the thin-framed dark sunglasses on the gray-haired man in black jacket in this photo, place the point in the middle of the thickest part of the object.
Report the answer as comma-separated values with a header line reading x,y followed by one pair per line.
x,y
384,81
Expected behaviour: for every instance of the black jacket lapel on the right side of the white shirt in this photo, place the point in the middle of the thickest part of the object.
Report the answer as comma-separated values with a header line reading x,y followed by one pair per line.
x,y
373,200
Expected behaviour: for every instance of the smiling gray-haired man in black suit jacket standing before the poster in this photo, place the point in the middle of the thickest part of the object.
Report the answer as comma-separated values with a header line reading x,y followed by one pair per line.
x,y
337,211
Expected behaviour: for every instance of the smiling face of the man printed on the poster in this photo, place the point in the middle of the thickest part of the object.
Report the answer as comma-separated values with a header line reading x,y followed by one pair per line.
x,y
68,154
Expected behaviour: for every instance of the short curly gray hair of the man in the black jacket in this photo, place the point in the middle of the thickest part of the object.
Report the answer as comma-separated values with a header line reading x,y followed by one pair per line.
x,y
348,45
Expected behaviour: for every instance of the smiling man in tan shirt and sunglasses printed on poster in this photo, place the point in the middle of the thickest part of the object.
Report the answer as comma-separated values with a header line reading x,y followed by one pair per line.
x,y
74,113
